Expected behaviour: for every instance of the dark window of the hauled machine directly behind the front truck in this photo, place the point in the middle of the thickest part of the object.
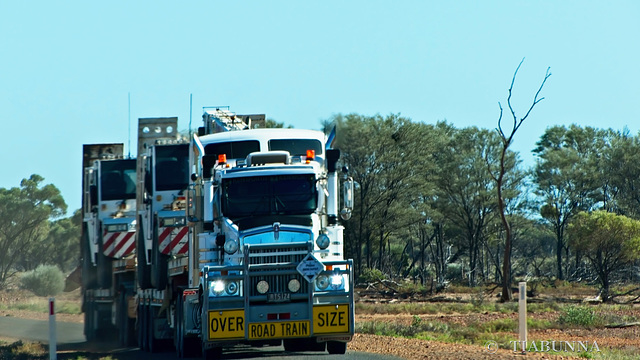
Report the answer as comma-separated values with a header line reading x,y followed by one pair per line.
x,y
172,167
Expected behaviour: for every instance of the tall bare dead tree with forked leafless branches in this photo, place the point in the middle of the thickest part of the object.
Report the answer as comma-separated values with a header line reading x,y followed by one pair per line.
x,y
499,178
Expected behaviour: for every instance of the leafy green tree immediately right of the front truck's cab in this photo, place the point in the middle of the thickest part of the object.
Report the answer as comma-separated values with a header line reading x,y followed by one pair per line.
x,y
387,157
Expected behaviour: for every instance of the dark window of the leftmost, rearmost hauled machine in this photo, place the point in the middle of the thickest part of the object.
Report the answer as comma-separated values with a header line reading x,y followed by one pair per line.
x,y
118,179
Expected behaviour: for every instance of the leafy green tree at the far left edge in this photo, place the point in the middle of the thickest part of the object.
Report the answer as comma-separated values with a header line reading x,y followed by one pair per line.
x,y
24,218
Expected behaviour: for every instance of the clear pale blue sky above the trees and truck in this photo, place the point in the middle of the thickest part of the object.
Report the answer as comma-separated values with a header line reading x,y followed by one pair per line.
x,y
66,68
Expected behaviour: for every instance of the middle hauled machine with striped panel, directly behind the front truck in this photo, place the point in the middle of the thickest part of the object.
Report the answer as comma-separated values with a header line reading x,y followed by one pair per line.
x,y
162,246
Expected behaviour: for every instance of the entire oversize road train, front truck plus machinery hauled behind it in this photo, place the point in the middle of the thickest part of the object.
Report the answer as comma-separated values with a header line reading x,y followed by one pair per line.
x,y
237,239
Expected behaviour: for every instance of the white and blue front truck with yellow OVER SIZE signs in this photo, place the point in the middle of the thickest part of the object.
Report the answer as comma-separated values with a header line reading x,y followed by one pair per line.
x,y
267,262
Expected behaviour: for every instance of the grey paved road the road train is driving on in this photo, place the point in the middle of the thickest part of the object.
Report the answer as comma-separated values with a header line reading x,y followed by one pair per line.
x,y
72,342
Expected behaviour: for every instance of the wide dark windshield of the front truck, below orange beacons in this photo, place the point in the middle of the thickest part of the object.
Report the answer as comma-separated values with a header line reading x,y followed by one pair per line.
x,y
269,195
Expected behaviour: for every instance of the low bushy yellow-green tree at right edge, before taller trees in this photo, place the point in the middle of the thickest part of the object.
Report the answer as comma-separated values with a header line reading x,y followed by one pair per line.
x,y
610,242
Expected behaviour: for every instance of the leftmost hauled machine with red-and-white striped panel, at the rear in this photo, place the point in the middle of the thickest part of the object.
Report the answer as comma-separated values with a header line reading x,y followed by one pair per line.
x,y
108,241
